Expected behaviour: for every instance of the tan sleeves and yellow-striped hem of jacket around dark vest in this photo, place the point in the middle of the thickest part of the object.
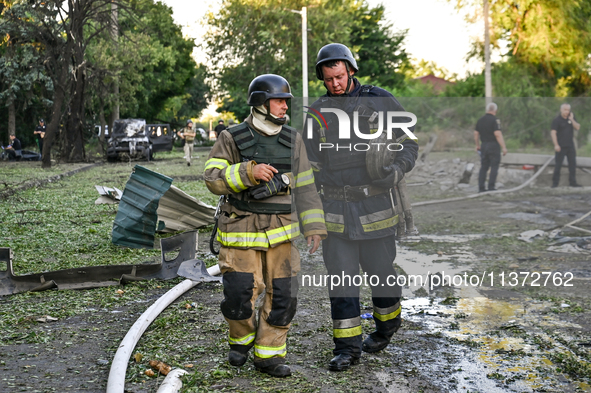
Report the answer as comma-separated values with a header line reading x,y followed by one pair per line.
x,y
227,173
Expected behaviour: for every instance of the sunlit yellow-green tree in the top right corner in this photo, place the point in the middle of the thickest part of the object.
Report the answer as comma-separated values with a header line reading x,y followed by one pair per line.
x,y
549,38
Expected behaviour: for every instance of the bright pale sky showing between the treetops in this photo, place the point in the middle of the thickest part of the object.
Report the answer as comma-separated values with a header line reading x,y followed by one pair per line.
x,y
436,31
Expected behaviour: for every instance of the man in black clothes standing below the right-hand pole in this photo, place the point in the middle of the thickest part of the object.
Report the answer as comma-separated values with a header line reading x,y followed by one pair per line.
x,y
489,142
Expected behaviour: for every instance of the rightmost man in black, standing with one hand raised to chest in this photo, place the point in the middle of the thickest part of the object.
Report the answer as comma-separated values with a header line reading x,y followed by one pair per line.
x,y
562,133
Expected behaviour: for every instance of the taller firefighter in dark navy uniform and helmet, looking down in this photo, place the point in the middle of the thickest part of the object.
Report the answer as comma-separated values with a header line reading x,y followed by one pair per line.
x,y
359,212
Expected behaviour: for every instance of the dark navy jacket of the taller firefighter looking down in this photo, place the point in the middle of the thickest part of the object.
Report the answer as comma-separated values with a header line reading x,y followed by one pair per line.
x,y
343,167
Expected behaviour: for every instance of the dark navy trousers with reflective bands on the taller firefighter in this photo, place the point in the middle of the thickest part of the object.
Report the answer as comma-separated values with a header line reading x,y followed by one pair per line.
x,y
342,258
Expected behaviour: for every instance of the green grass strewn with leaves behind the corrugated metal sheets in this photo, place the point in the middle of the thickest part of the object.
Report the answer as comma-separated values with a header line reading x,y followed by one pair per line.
x,y
58,226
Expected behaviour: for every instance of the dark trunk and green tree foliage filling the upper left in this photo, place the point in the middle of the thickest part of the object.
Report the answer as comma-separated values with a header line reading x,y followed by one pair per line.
x,y
70,43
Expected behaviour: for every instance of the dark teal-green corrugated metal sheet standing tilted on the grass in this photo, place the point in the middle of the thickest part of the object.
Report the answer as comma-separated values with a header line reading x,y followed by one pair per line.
x,y
137,220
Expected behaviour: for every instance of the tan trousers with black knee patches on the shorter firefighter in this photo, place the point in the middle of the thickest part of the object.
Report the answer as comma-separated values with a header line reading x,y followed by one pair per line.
x,y
246,275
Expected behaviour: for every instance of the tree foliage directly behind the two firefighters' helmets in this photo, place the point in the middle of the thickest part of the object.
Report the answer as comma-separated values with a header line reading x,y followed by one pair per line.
x,y
252,37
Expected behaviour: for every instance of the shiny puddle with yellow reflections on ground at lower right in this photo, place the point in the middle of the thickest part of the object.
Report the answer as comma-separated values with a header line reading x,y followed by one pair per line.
x,y
495,342
